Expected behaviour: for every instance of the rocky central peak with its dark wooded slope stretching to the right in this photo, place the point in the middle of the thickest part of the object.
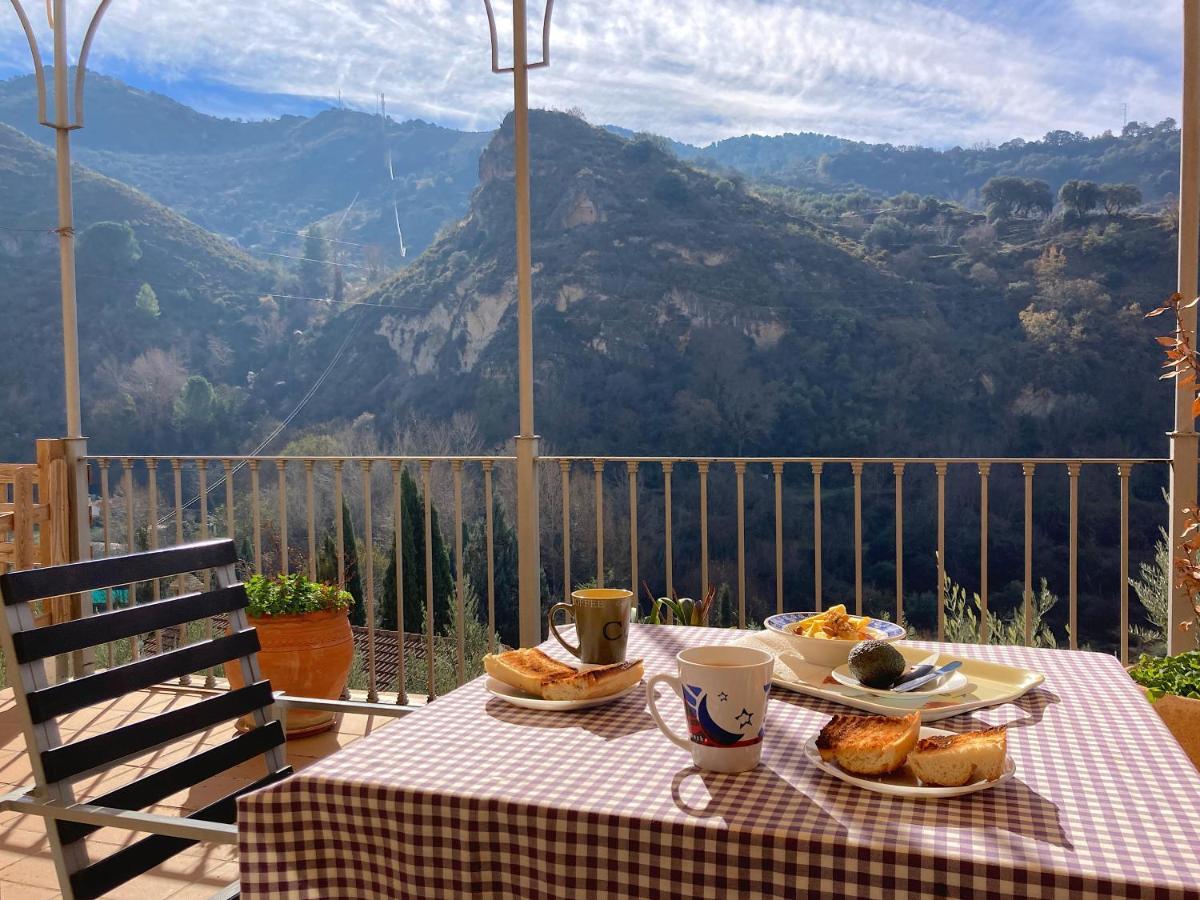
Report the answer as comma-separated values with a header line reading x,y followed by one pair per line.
x,y
695,315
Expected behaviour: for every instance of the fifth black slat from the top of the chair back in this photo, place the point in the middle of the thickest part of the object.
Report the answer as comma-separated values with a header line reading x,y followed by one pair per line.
x,y
187,773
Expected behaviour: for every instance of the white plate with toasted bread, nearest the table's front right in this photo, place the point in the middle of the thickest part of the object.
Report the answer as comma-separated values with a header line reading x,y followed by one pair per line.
x,y
898,757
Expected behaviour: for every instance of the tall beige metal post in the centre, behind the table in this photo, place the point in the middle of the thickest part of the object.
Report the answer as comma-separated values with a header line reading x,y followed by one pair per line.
x,y
529,532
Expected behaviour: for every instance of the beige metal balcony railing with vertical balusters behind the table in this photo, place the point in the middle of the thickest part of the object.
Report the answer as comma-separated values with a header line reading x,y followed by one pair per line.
x,y
623,520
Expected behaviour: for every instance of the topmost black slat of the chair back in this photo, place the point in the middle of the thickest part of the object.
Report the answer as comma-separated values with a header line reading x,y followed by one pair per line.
x,y
95,574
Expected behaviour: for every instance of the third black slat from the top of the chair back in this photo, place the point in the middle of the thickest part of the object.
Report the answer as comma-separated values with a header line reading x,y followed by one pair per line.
x,y
69,697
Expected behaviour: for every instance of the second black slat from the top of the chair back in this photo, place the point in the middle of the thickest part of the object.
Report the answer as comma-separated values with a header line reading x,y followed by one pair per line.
x,y
118,625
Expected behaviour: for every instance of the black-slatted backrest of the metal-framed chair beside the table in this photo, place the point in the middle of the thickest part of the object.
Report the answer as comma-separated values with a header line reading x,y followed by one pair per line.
x,y
57,765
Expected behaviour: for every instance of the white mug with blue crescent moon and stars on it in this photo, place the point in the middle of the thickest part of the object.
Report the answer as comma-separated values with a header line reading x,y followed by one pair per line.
x,y
724,692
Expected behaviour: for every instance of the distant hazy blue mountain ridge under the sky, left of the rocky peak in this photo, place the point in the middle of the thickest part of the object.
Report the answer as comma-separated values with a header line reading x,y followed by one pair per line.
x,y
361,176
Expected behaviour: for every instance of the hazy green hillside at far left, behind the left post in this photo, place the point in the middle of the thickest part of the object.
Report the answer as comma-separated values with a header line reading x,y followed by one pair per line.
x,y
159,299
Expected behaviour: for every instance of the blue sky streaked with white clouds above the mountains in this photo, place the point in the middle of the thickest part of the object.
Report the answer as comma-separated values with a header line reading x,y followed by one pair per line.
x,y
935,73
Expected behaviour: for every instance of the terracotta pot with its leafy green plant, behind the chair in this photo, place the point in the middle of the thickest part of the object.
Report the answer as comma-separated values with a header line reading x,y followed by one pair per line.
x,y
308,649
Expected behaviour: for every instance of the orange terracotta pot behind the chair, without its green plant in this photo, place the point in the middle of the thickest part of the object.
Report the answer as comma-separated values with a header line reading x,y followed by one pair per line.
x,y
305,656
